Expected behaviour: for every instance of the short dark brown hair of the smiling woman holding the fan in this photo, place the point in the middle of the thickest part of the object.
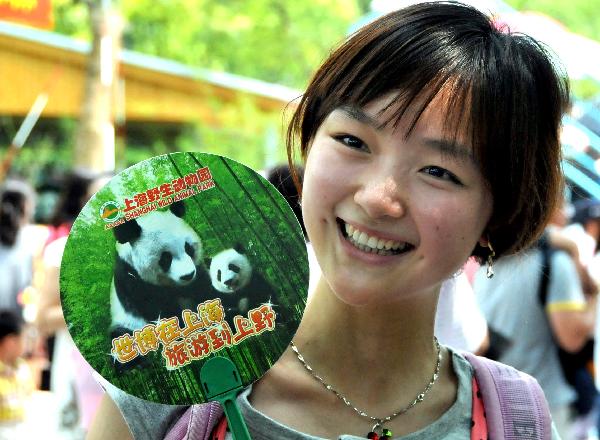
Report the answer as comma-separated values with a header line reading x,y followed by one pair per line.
x,y
504,88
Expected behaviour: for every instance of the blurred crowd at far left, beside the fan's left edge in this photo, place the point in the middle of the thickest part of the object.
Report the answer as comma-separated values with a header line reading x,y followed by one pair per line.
x,y
46,387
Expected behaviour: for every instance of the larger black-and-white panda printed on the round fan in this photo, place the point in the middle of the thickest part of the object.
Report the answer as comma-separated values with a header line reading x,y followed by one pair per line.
x,y
158,270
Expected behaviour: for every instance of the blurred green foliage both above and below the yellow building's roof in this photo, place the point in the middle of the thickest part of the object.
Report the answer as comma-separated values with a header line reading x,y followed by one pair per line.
x,y
276,41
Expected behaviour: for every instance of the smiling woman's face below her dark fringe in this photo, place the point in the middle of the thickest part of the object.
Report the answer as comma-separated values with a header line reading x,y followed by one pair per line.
x,y
391,216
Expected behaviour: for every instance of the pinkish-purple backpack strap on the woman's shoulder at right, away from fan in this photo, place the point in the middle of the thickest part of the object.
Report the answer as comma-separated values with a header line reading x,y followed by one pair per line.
x,y
515,406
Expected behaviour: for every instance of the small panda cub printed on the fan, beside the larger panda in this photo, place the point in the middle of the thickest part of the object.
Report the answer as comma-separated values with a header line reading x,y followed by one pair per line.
x,y
238,285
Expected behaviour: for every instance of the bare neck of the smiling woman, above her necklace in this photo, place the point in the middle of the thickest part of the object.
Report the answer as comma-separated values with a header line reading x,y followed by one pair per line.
x,y
369,349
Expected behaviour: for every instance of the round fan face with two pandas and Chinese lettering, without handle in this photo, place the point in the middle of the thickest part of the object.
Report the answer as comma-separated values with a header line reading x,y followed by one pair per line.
x,y
183,268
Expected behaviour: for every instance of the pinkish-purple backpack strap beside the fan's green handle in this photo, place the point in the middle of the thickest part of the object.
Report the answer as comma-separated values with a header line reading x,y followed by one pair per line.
x,y
197,423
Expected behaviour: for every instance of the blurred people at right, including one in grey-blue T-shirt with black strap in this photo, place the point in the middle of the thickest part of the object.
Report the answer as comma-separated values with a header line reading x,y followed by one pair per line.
x,y
540,309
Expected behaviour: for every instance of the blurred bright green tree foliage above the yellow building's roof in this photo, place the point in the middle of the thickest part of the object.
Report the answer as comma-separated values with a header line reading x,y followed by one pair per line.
x,y
276,41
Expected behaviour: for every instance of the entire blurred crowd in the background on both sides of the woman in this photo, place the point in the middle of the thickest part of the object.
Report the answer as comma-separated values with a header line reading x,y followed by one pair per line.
x,y
536,313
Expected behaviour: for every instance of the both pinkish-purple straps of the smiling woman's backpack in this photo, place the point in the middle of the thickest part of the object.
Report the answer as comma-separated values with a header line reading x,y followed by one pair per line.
x,y
514,408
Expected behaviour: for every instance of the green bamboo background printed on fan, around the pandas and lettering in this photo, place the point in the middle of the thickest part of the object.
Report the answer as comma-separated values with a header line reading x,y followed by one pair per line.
x,y
241,208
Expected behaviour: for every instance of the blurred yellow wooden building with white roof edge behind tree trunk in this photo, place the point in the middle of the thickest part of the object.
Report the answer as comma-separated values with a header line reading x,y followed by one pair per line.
x,y
155,89
